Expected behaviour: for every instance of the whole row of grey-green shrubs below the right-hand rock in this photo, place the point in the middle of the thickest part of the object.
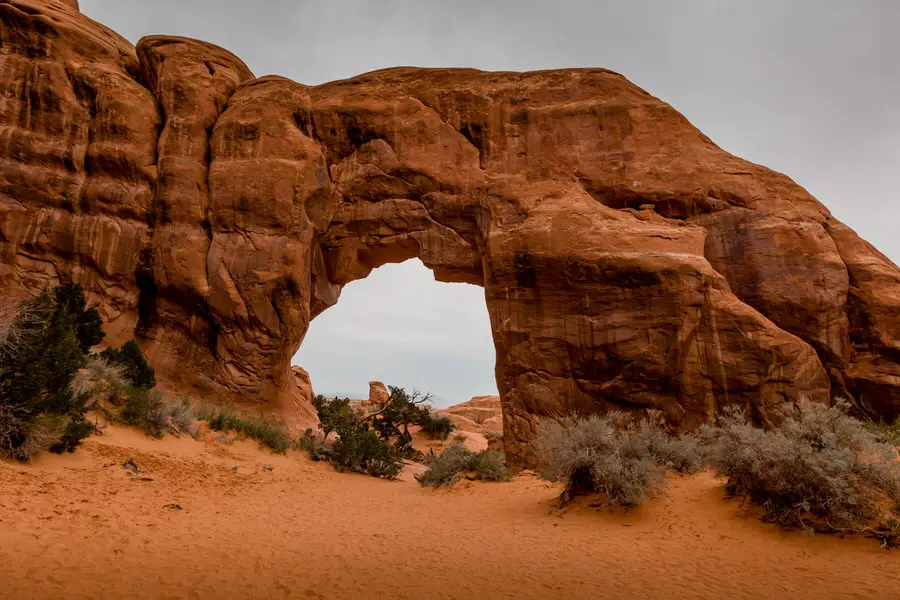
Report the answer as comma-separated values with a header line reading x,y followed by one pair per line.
x,y
820,469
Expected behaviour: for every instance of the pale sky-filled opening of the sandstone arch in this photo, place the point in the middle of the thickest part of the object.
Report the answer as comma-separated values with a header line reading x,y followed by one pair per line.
x,y
400,326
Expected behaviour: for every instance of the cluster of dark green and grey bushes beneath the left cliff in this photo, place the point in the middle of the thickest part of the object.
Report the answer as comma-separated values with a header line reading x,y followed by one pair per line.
x,y
49,379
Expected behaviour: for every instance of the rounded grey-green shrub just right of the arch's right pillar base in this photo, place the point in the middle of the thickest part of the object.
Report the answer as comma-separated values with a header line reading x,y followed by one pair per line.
x,y
613,455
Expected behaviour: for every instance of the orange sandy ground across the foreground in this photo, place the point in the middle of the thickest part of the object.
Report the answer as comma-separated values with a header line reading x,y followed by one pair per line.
x,y
79,526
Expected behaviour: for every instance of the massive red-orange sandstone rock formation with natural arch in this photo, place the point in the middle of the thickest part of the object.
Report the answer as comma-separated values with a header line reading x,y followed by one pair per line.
x,y
627,261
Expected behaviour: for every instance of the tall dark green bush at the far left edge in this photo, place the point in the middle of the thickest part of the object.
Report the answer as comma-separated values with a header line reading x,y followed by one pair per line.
x,y
43,343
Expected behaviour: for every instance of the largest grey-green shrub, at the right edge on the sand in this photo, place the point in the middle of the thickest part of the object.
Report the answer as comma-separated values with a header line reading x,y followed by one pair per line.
x,y
820,470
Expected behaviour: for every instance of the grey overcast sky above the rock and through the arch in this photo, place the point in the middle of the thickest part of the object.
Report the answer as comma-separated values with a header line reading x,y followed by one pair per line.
x,y
810,88
